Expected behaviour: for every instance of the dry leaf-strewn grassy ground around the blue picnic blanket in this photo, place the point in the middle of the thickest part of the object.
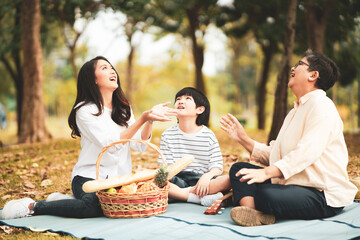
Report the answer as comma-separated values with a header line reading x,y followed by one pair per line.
x,y
23,169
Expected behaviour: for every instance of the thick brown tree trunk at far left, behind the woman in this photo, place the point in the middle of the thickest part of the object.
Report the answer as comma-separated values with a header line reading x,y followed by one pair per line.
x,y
33,127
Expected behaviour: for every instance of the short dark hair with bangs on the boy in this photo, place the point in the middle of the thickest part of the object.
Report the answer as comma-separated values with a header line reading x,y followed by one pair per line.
x,y
200,100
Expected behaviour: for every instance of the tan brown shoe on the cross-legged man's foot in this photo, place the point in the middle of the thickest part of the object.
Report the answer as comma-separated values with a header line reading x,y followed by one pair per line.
x,y
245,216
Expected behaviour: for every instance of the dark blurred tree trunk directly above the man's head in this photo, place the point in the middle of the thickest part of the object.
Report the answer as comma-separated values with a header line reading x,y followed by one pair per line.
x,y
316,23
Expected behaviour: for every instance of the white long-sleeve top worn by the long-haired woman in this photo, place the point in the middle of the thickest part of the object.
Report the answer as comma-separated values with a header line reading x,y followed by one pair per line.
x,y
98,132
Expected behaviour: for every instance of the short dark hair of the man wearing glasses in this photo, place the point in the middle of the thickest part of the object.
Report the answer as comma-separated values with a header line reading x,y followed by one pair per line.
x,y
327,68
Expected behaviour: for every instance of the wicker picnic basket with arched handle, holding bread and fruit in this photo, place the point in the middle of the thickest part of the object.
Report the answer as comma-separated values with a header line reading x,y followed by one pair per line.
x,y
132,205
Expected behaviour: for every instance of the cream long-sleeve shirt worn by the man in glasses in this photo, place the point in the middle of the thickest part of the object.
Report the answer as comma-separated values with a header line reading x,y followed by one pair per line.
x,y
310,150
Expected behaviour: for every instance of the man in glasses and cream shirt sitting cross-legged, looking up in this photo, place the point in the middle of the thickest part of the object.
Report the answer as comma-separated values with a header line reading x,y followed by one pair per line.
x,y
306,166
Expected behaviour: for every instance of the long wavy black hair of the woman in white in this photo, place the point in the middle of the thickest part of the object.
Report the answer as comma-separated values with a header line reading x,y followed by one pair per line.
x,y
88,92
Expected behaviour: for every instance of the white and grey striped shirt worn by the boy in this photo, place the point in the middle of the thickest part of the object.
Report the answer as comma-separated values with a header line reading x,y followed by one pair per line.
x,y
203,145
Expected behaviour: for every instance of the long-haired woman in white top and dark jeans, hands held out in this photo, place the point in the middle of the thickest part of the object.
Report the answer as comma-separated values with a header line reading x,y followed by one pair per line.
x,y
101,115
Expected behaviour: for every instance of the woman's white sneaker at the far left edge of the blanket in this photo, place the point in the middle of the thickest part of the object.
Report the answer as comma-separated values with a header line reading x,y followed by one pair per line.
x,y
17,209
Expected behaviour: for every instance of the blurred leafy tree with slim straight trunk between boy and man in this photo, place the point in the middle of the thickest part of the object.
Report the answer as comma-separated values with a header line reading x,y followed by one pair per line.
x,y
265,19
